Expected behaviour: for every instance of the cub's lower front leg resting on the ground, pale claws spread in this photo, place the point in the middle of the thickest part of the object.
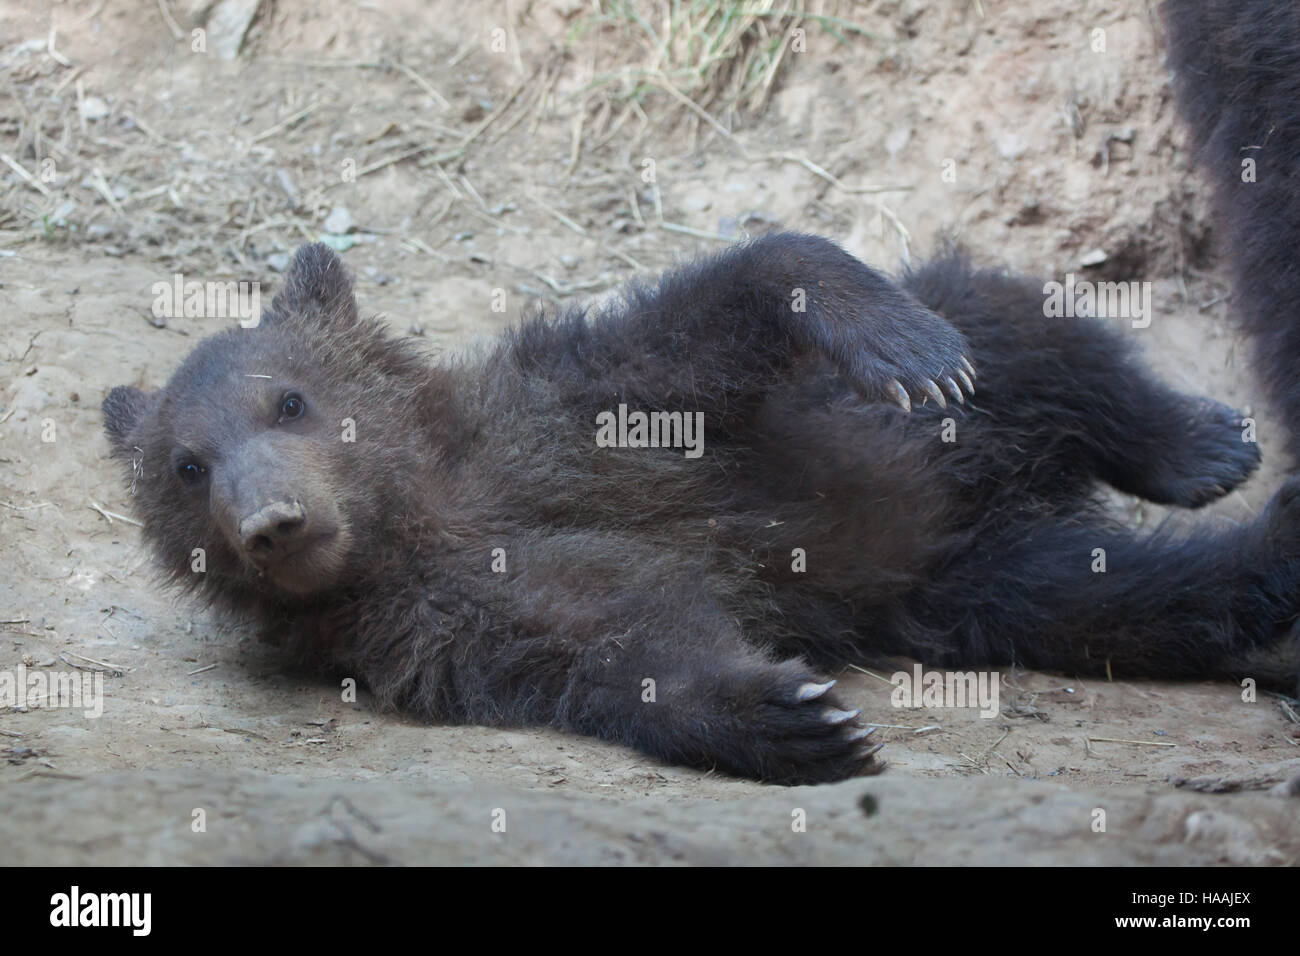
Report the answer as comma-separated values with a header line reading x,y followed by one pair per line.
x,y
614,638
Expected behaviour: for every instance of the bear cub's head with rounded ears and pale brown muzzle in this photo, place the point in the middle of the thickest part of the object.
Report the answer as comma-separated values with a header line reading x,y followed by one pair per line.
x,y
253,470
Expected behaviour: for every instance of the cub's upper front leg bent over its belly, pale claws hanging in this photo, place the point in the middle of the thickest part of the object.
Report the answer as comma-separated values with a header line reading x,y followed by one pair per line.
x,y
731,327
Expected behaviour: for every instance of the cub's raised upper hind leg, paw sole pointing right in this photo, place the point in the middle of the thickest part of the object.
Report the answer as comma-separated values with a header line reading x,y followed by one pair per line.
x,y
1074,395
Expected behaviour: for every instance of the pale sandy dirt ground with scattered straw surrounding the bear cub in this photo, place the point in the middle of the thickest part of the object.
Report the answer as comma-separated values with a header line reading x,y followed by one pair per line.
x,y
492,150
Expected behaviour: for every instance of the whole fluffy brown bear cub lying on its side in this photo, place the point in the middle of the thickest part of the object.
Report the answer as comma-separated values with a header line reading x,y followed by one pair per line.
x,y
462,540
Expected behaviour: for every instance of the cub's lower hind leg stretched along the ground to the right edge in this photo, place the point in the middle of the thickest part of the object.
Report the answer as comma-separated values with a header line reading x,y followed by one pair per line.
x,y
1090,598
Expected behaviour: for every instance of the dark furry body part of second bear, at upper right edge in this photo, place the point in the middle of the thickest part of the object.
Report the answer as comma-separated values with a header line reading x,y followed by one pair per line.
x,y
1237,79
